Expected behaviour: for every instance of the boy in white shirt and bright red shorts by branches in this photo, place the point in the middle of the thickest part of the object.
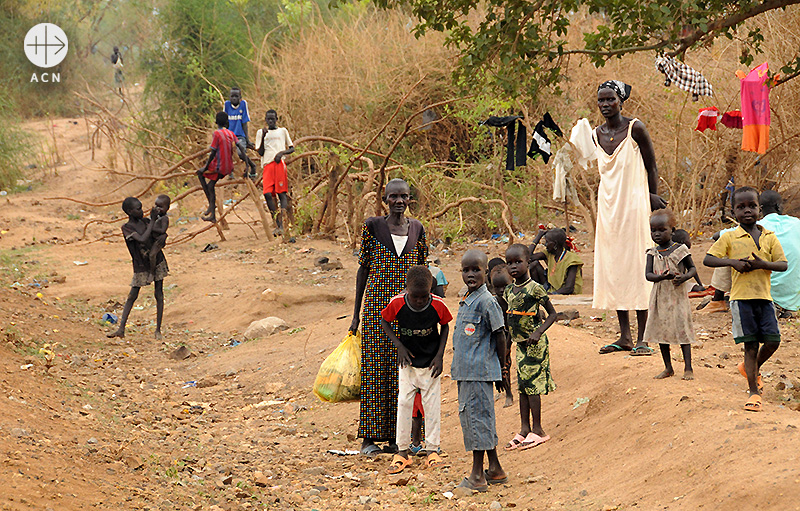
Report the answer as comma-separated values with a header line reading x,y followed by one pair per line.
x,y
272,144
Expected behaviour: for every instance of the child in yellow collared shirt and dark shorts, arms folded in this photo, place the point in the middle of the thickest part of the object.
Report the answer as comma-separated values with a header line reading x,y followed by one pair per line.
x,y
752,252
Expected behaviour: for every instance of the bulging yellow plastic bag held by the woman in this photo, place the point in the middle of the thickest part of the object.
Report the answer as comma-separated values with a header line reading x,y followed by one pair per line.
x,y
339,376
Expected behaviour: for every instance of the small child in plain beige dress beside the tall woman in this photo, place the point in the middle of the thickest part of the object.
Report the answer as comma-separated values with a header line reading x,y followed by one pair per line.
x,y
669,316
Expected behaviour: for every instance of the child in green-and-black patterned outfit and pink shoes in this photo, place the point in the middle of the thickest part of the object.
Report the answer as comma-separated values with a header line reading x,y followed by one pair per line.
x,y
524,298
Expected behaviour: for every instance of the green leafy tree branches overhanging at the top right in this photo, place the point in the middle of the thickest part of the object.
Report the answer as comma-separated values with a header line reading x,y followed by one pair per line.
x,y
521,45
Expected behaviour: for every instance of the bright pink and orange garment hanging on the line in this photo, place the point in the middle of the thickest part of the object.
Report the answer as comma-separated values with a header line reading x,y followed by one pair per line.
x,y
755,109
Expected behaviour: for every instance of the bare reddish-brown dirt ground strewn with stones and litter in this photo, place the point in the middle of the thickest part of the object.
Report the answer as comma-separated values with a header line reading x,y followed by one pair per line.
x,y
207,419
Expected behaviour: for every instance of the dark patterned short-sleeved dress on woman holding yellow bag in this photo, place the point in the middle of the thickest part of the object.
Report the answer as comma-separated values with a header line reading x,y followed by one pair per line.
x,y
387,277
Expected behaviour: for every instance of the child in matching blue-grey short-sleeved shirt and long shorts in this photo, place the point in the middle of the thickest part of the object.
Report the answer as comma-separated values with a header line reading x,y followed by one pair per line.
x,y
478,351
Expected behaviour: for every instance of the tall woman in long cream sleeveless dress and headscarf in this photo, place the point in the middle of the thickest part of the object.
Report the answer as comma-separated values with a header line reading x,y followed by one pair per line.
x,y
628,192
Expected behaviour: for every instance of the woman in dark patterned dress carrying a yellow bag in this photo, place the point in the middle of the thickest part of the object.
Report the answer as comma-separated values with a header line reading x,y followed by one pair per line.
x,y
390,245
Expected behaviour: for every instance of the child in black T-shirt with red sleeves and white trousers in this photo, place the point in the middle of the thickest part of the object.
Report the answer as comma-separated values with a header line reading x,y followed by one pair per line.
x,y
420,352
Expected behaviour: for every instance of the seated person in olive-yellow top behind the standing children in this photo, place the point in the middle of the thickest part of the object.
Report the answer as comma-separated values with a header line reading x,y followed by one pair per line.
x,y
564,267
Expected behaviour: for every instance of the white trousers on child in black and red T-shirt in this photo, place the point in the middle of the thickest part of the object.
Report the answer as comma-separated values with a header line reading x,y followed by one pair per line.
x,y
411,379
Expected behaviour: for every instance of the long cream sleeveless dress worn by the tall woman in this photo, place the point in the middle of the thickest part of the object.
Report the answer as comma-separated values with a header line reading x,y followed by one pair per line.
x,y
623,228
